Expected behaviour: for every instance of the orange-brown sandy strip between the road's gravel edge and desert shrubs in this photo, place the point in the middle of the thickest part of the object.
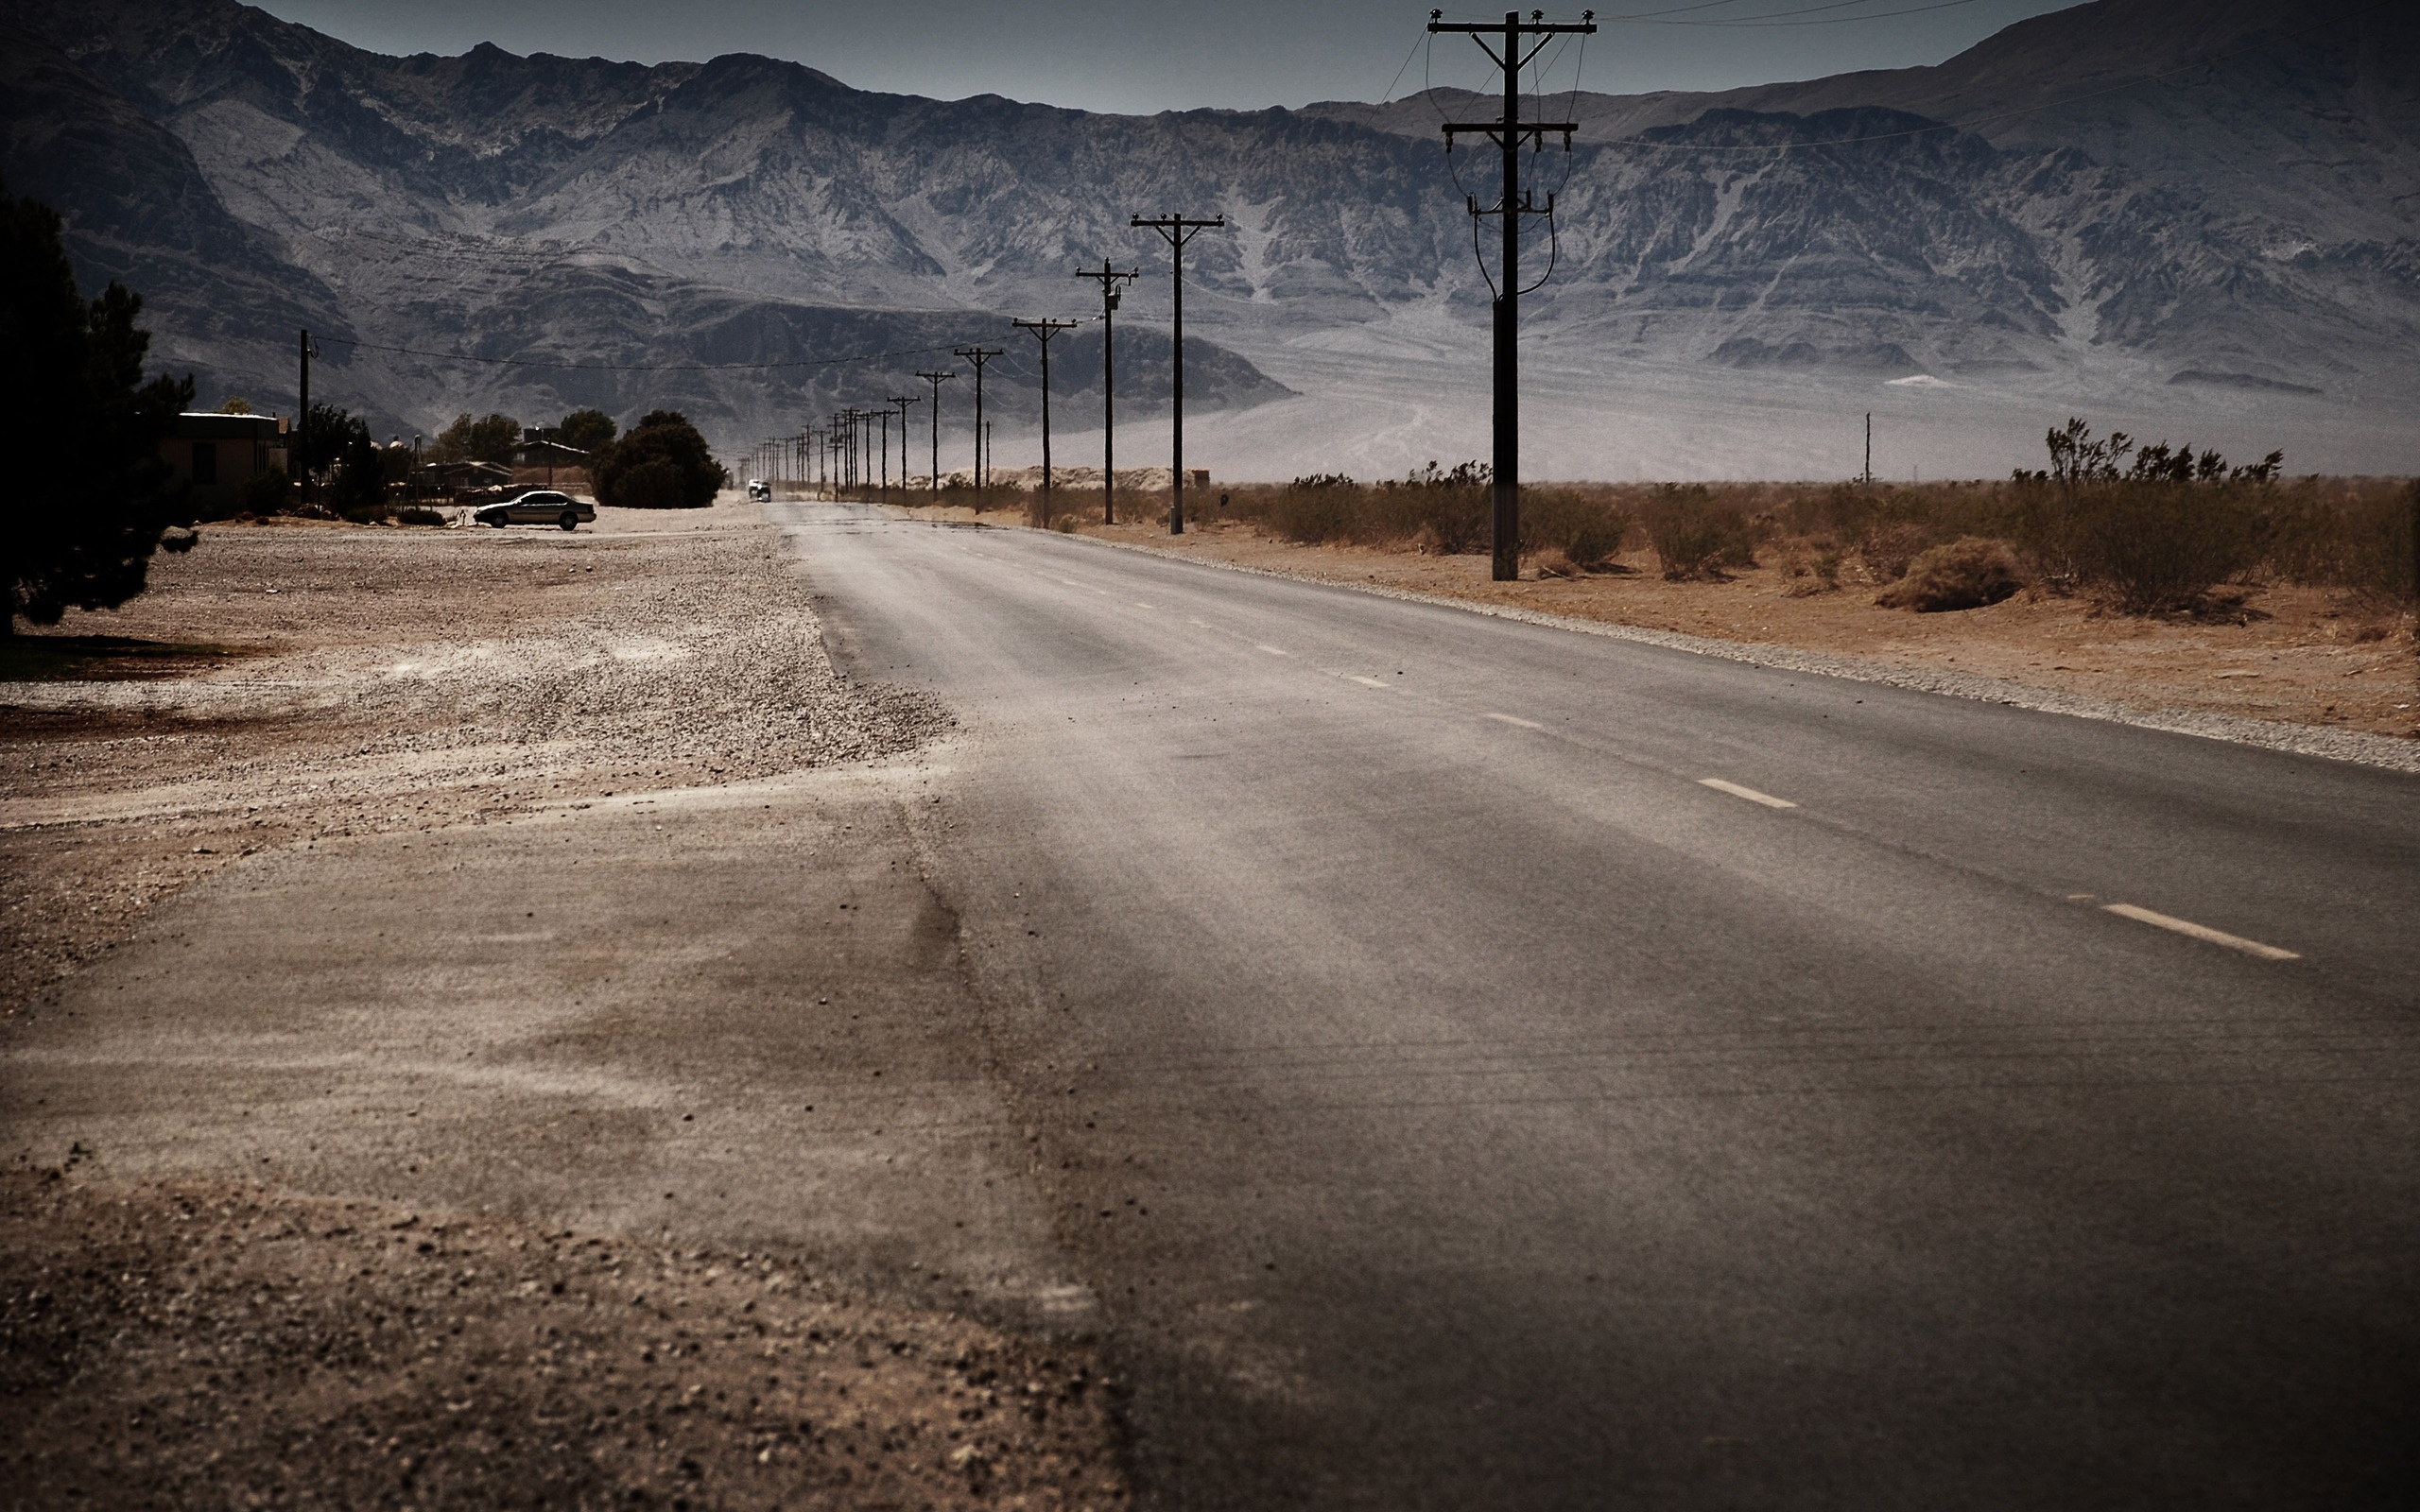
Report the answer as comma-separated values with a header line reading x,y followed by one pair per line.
x,y
2283,654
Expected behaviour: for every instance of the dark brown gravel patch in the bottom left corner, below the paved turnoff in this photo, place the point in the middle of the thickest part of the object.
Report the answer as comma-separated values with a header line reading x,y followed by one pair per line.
x,y
204,1344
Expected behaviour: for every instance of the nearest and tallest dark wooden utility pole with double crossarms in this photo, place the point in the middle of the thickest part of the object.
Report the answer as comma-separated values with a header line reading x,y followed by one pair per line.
x,y
1509,134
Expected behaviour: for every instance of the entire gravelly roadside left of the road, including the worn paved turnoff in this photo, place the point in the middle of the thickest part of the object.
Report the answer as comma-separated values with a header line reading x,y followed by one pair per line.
x,y
478,1034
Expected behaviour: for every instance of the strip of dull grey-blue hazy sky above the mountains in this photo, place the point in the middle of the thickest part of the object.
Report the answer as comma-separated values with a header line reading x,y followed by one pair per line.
x,y
1163,54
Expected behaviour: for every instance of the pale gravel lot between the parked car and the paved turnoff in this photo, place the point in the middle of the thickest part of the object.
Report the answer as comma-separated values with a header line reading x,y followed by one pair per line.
x,y
294,683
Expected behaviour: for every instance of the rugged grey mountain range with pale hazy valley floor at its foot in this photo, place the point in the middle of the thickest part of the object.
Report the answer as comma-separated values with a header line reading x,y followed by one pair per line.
x,y
2196,219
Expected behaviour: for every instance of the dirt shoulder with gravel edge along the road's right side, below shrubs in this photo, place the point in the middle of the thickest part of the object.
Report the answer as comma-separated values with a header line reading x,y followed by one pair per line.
x,y
2291,669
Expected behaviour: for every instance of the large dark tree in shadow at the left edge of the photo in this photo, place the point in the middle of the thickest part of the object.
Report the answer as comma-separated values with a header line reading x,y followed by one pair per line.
x,y
88,497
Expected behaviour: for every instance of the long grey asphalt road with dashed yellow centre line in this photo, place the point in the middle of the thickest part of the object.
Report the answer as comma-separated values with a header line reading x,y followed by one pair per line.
x,y
1456,1100
